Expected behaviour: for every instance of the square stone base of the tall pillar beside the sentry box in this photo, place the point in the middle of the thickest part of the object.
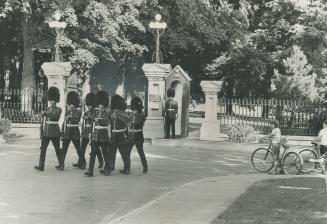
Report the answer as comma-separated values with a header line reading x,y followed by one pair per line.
x,y
154,128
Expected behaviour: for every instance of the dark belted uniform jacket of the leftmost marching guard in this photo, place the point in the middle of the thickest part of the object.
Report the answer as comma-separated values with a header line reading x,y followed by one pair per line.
x,y
51,126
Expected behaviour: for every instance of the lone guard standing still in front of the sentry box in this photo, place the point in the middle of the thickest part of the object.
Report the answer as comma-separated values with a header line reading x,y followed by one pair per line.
x,y
171,113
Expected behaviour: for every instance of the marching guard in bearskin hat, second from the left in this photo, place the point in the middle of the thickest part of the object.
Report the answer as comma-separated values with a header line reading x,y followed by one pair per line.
x,y
70,128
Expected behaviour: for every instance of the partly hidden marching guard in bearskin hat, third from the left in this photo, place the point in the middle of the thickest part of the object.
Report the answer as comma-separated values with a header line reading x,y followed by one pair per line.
x,y
87,127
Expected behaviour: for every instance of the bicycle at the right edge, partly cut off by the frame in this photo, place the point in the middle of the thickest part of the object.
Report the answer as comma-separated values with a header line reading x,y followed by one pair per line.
x,y
311,158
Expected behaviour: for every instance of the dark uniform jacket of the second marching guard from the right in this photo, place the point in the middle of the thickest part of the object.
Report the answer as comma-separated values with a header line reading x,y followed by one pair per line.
x,y
119,121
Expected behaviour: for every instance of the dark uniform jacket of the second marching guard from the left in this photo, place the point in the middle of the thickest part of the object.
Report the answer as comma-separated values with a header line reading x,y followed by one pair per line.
x,y
71,124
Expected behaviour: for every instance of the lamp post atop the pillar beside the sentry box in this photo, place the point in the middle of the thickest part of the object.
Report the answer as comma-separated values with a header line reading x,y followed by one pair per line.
x,y
158,29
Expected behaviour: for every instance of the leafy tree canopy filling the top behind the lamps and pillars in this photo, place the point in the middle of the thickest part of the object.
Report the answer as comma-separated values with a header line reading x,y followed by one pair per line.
x,y
253,46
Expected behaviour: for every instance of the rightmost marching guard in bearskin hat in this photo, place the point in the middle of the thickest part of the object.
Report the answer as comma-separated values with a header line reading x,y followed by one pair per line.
x,y
135,130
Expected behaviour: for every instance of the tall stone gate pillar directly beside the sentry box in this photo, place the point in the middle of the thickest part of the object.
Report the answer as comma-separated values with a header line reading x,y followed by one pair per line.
x,y
156,75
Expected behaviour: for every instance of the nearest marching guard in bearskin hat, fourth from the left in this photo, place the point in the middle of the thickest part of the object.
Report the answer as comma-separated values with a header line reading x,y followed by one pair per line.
x,y
100,134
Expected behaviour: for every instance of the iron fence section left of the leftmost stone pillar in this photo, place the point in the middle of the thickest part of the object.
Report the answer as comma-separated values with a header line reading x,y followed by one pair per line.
x,y
22,106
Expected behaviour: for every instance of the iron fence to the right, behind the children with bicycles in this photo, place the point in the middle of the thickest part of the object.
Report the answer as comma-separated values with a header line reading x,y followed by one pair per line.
x,y
296,117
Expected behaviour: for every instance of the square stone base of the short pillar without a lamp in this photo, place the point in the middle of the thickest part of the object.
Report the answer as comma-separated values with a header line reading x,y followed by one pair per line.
x,y
210,130
